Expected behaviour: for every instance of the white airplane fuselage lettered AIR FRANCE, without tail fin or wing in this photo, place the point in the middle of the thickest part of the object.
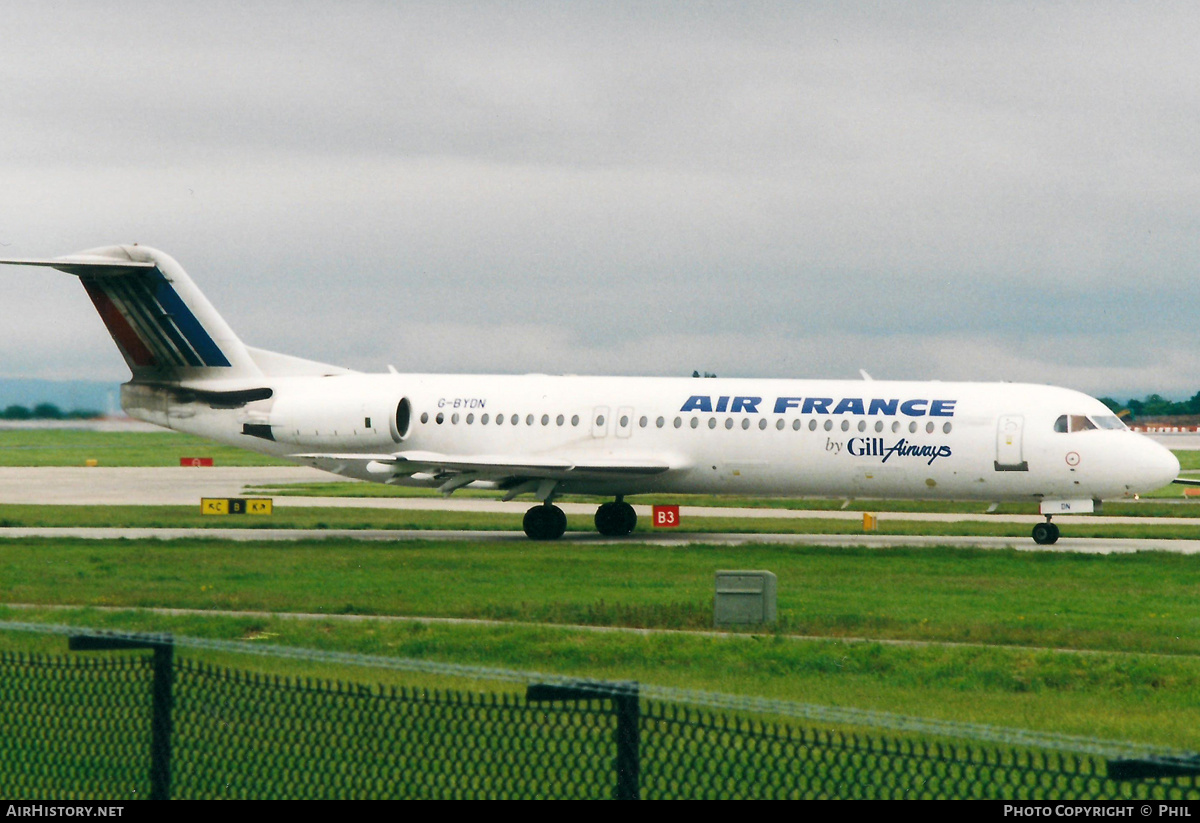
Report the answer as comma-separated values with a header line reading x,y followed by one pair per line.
x,y
757,437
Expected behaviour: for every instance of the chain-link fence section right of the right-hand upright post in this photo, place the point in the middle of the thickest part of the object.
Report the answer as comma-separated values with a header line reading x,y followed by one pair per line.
x,y
743,759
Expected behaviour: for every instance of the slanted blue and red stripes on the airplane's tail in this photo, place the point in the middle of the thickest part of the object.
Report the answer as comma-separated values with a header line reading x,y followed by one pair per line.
x,y
152,325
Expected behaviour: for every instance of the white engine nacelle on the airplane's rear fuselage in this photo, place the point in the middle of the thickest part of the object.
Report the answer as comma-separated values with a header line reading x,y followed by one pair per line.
x,y
338,420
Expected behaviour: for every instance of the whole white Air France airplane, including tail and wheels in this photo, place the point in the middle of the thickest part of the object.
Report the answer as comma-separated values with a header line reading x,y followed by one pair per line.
x,y
609,436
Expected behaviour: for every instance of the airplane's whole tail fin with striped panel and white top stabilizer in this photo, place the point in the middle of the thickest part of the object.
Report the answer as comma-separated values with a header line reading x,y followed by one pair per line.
x,y
165,327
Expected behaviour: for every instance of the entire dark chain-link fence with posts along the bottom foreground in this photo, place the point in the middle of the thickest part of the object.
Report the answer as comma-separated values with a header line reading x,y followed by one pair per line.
x,y
80,728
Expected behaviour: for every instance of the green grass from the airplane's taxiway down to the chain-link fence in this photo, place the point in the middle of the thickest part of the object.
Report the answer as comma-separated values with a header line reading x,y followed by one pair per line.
x,y
1132,620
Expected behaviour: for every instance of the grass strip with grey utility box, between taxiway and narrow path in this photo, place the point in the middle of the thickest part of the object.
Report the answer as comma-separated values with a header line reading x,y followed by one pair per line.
x,y
1132,603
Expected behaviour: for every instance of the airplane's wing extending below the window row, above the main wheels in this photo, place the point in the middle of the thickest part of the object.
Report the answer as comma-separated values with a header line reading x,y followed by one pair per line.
x,y
505,471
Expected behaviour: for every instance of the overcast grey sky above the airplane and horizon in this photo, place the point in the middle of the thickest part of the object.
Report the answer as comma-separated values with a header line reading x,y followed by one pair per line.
x,y
994,191
